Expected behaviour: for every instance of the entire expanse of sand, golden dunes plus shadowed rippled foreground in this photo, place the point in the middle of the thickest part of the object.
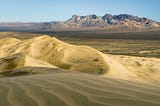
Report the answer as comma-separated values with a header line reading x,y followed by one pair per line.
x,y
44,71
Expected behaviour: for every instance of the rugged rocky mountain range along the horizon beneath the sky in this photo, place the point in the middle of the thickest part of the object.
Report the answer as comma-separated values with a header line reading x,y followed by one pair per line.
x,y
89,22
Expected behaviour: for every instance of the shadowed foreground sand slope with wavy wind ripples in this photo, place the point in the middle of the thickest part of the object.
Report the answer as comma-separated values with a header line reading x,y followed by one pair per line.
x,y
75,89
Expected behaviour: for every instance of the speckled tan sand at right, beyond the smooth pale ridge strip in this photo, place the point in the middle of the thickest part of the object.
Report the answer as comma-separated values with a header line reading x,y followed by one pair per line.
x,y
145,68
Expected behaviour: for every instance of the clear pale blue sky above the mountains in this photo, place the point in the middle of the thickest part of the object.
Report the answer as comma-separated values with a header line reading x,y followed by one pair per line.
x,y
60,10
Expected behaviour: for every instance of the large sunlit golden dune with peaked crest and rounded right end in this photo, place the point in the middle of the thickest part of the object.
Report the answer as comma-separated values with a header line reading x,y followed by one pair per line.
x,y
56,53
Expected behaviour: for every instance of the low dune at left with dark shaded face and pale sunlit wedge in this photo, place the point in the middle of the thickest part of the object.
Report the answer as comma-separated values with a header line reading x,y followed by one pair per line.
x,y
16,61
